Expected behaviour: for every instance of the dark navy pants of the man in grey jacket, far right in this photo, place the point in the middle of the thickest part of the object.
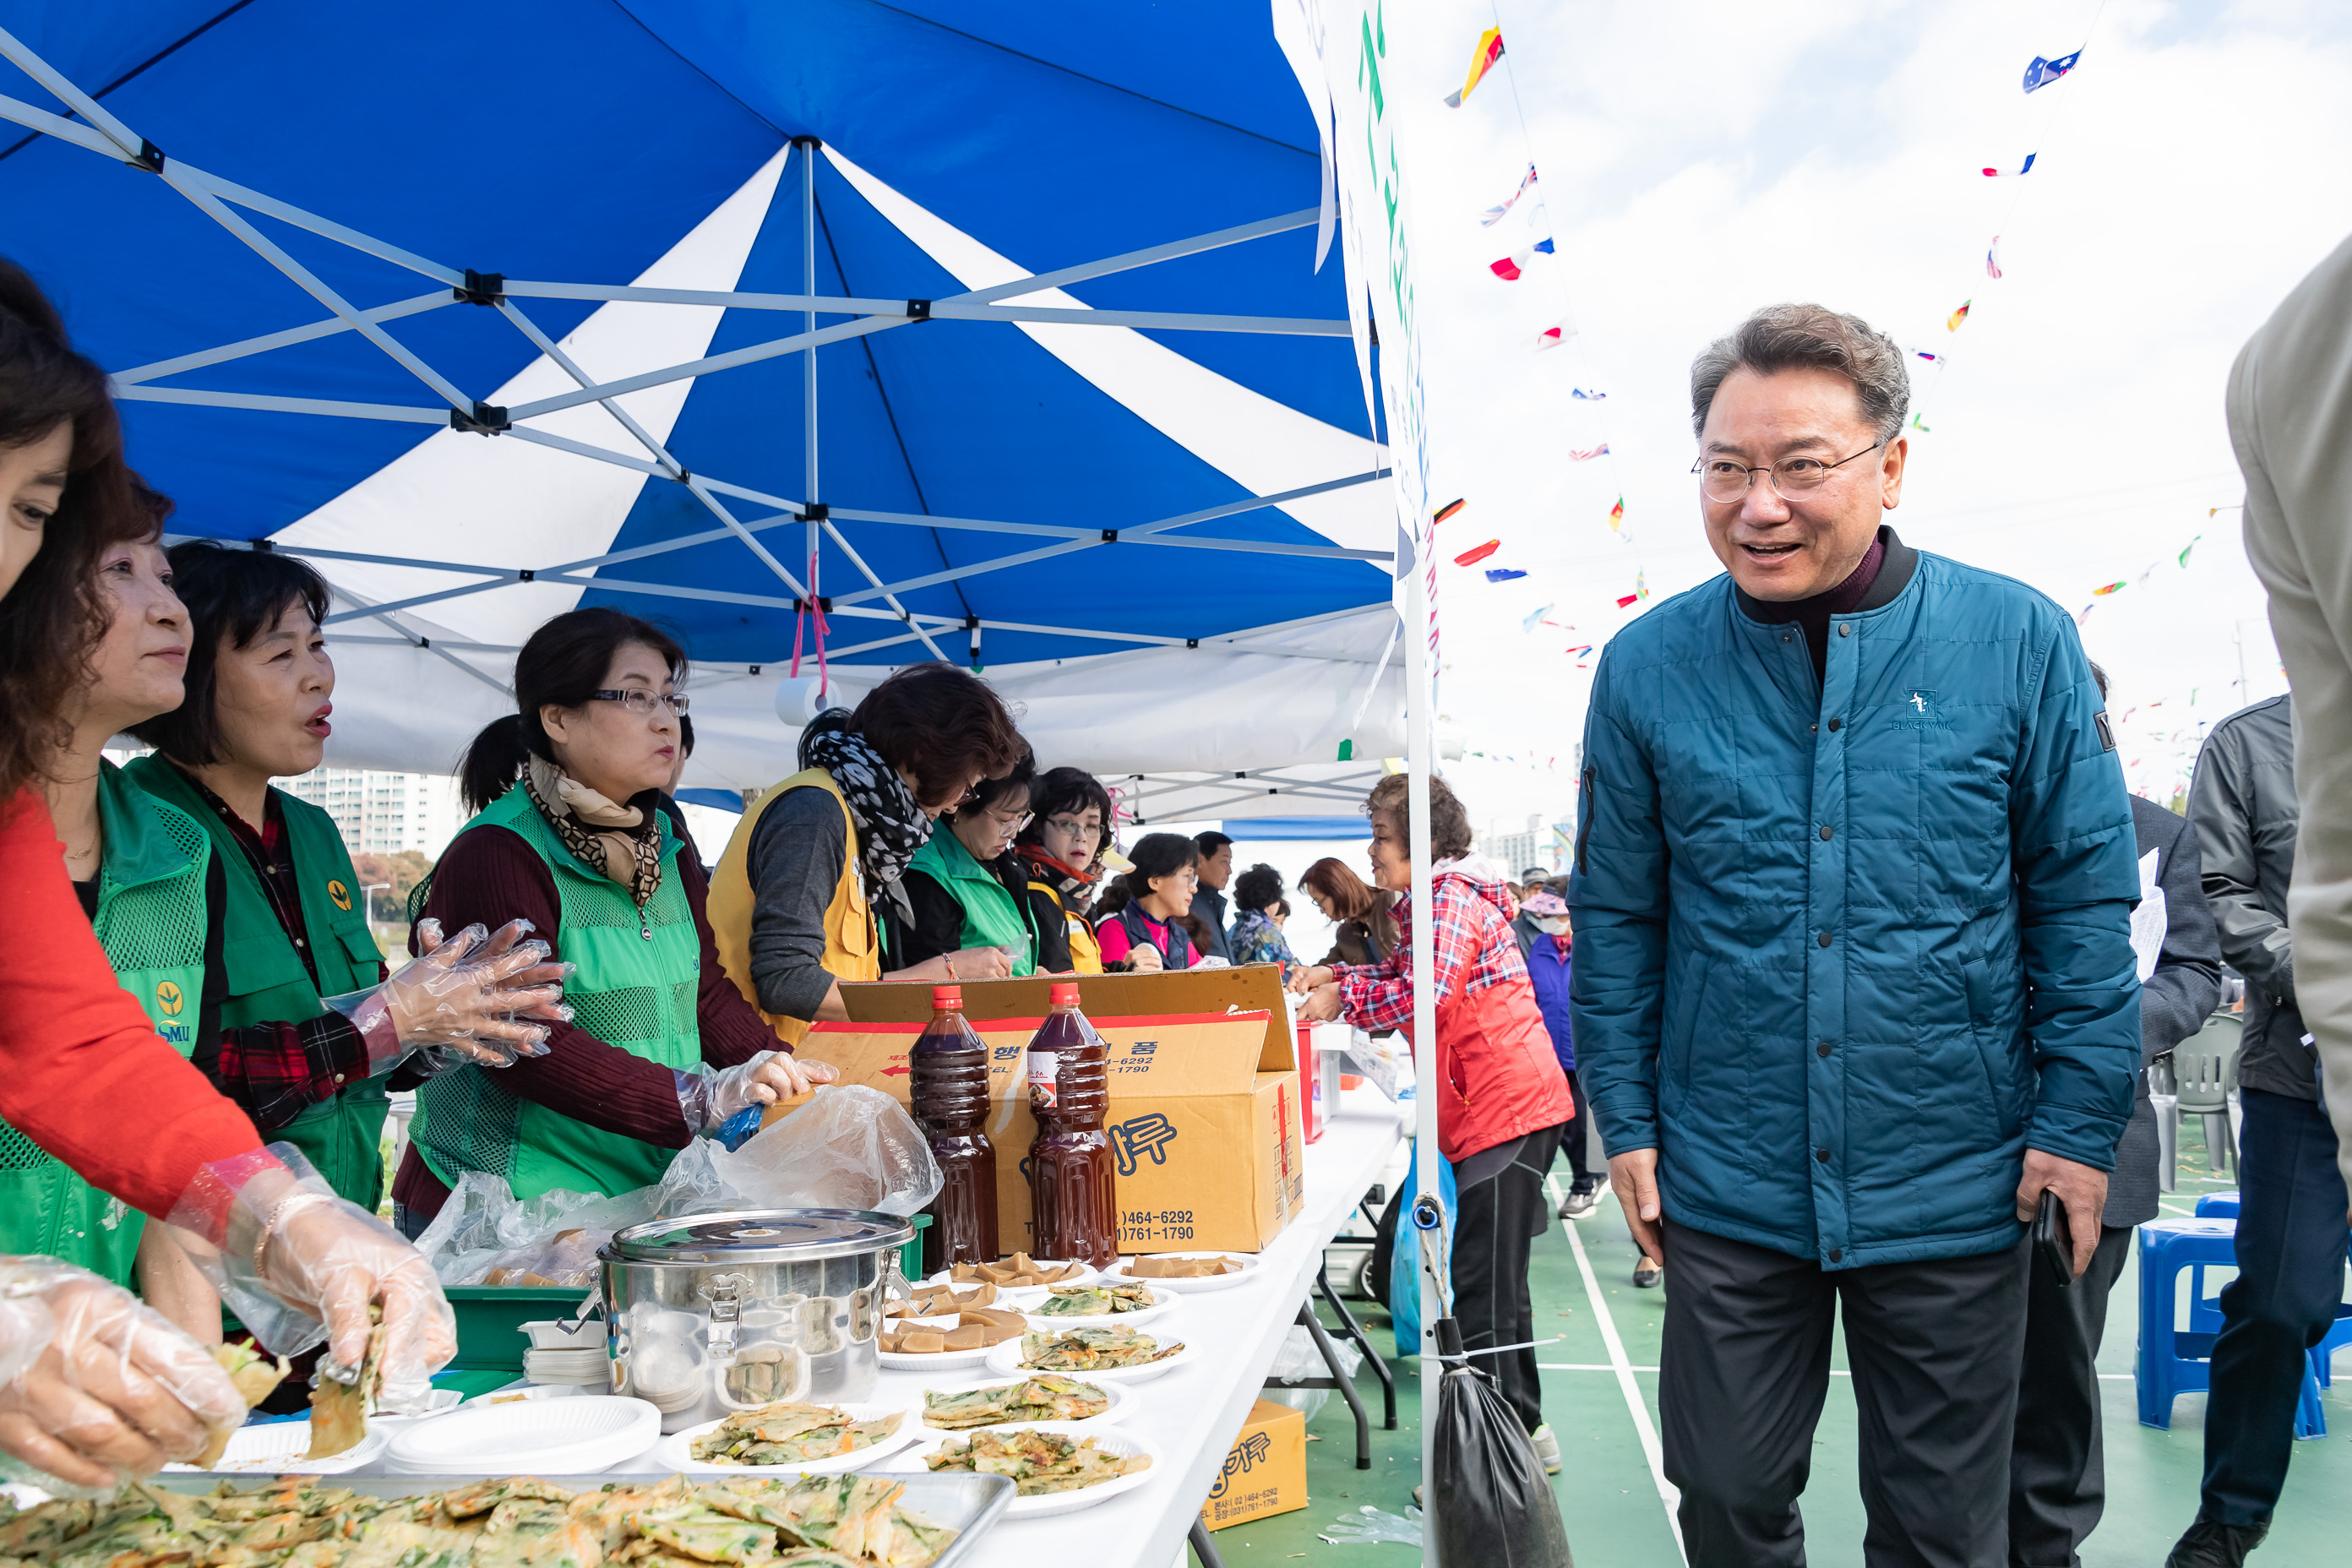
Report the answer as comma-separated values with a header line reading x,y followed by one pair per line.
x,y
2290,1282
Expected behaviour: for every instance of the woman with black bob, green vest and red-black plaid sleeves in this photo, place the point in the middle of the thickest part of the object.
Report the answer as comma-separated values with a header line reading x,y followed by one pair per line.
x,y
260,692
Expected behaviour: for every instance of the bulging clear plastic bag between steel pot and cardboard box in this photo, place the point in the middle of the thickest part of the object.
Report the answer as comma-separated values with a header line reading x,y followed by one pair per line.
x,y
848,1148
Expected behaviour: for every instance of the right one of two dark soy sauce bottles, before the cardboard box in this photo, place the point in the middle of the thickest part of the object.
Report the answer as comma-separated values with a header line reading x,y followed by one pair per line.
x,y
1074,1186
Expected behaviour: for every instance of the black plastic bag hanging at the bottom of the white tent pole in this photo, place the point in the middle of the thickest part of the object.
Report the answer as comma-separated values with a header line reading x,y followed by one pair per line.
x,y
1495,1503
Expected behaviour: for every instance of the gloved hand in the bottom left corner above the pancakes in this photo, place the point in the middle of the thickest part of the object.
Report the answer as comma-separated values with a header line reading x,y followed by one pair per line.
x,y
98,1388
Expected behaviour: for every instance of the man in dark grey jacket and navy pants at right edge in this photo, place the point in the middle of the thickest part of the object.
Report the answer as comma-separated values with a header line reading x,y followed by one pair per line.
x,y
2292,1195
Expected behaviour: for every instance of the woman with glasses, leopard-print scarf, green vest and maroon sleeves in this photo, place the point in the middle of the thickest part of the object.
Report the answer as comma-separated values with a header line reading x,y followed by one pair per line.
x,y
570,836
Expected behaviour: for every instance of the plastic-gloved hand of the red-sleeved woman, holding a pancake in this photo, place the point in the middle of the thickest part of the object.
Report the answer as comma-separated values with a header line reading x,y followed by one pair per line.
x,y
300,1266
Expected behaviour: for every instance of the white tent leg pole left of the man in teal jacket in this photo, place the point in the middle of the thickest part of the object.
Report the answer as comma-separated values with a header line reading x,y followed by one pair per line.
x,y
1419,756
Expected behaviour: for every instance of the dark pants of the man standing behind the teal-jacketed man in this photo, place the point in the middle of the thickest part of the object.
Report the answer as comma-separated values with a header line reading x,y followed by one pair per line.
x,y
2057,1468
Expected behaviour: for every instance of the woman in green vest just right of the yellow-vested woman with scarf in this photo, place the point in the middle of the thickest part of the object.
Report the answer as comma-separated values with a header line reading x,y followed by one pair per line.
x,y
965,887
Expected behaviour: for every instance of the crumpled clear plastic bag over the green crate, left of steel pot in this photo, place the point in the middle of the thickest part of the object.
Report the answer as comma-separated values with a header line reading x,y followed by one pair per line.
x,y
552,1240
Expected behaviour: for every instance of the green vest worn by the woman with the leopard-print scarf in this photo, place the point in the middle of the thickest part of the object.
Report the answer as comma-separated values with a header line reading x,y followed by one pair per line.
x,y
636,989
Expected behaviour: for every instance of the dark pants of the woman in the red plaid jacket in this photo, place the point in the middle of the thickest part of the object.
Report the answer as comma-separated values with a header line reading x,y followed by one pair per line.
x,y
1492,1228
